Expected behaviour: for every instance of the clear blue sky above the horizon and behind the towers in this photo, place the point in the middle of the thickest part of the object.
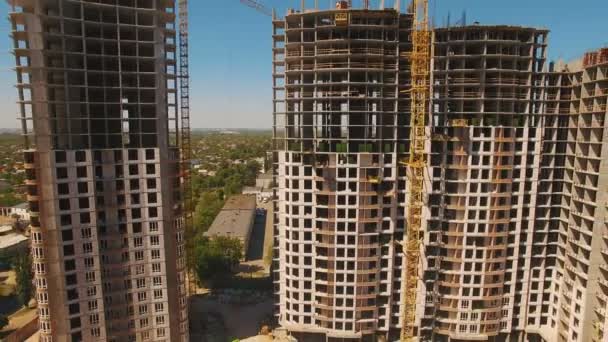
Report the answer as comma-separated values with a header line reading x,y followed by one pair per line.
x,y
231,58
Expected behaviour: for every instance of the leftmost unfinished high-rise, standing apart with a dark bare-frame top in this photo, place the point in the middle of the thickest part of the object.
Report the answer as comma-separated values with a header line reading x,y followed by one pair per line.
x,y
97,95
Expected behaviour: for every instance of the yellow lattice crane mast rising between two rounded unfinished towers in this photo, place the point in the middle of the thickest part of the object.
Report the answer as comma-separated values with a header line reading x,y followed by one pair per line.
x,y
420,58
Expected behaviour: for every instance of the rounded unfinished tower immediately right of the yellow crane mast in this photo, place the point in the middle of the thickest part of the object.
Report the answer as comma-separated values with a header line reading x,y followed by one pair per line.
x,y
486,256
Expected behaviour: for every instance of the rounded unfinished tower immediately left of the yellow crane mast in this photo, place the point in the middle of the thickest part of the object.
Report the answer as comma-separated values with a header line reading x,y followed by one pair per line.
x,y
341,128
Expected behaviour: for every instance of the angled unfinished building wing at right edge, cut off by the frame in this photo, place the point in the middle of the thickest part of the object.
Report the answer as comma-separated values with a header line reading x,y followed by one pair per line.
x,y
577,177
